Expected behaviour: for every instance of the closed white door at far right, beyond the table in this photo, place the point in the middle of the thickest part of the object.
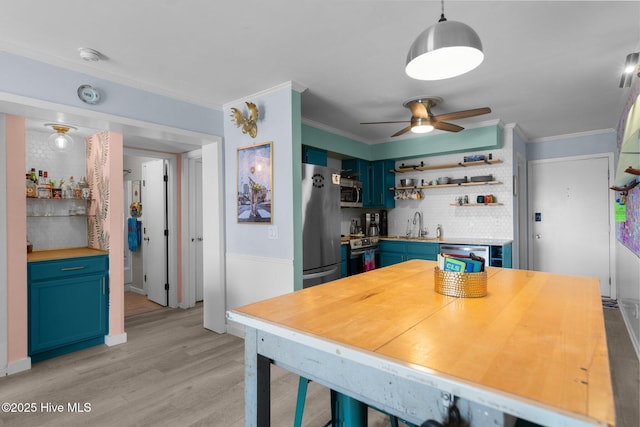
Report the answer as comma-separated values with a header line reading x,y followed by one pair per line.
x,y
569,208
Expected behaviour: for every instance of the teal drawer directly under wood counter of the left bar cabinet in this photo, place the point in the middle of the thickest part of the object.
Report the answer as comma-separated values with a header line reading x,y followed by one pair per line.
x,y
68,267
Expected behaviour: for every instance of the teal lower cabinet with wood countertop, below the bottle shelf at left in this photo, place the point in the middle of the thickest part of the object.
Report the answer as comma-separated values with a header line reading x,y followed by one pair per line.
x,y
67,305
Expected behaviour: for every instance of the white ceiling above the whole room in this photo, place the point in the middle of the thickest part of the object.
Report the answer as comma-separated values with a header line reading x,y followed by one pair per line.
x,y
551,67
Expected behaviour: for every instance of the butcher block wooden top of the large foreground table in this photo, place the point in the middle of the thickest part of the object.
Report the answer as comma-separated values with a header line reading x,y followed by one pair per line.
x,y
536,336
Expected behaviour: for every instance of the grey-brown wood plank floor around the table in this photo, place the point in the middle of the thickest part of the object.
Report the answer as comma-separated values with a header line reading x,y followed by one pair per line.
x,y
173,372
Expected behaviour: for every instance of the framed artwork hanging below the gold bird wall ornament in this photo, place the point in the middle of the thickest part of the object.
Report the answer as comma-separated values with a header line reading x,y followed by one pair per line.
x,y
255,183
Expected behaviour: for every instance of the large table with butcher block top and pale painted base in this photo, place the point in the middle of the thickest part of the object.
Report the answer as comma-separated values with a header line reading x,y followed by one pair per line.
x,y
533,348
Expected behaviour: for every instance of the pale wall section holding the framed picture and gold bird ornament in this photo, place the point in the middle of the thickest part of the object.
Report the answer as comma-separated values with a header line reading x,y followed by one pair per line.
x,y
259,267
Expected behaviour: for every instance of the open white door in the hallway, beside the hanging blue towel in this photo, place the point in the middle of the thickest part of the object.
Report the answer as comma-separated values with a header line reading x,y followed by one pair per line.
x,y
154,250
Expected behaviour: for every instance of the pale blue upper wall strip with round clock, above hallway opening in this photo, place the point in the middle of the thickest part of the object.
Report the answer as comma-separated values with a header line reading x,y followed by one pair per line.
x,y
32,79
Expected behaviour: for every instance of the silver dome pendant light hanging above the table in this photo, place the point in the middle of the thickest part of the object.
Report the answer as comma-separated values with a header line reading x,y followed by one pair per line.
x,y
444,50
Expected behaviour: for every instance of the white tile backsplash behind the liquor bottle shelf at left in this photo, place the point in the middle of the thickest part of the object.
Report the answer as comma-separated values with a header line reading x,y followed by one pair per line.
x,y
50,227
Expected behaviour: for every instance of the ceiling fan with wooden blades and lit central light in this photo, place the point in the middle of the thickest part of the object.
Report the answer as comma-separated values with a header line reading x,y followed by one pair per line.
x,y
423,120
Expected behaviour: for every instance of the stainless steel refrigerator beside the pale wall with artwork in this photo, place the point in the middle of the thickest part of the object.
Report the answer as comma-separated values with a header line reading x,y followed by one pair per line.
x,y
320,225
